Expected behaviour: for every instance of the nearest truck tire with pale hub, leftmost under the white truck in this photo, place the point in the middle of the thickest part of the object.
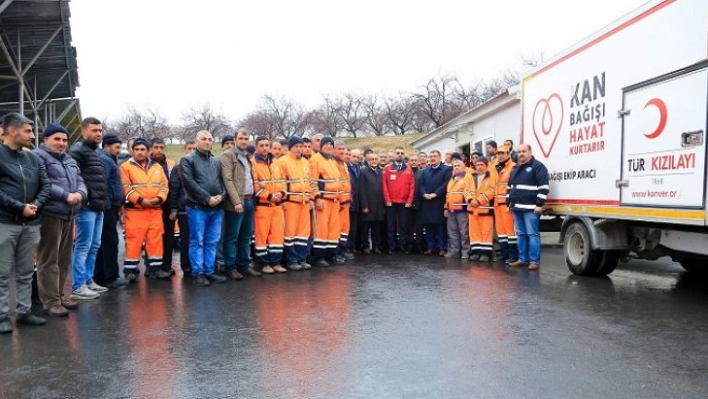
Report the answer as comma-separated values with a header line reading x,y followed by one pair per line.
x,y
579,255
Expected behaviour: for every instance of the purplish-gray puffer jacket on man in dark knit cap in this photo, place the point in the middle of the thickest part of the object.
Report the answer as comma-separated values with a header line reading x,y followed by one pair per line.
x,y
65,178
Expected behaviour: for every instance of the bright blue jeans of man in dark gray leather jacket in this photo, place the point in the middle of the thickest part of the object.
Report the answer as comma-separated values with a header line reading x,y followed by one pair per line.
x,y
204,233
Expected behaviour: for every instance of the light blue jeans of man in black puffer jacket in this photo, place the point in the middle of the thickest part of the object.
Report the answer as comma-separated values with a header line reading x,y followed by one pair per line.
x,y
89,227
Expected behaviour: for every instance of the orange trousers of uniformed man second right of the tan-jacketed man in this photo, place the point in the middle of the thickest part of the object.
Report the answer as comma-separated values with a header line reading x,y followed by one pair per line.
x,y
297,231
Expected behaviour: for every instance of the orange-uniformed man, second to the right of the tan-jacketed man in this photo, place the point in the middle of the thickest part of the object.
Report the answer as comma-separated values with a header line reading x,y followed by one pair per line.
x,y
297,204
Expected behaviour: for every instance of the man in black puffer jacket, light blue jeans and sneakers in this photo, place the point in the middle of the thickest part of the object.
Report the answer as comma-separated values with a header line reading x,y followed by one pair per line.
x,y
89,223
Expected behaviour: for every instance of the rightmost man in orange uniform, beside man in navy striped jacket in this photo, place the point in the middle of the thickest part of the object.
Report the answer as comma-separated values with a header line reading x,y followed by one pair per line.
x,y
503,219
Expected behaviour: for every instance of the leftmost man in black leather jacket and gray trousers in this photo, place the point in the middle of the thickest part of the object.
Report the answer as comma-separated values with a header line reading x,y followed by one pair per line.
x,y
23,192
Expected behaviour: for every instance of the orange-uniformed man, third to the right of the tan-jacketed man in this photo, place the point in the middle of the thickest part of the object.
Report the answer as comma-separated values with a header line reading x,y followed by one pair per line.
x,y
325,180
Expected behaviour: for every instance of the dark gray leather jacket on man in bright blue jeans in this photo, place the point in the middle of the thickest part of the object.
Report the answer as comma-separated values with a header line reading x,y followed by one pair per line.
x,y
202,179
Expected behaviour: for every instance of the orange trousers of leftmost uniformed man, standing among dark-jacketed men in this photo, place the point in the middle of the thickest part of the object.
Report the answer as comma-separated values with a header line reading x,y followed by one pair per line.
x,y
143,226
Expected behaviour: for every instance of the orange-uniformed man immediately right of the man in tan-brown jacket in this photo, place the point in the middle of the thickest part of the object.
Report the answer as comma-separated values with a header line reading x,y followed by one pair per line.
x,y
269,191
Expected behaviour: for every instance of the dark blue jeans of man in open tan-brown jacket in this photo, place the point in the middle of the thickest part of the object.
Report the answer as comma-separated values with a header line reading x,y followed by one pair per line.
x,y
238,231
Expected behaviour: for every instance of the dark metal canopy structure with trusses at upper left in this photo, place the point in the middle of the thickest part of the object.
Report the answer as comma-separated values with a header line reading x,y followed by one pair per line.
x,y
38,68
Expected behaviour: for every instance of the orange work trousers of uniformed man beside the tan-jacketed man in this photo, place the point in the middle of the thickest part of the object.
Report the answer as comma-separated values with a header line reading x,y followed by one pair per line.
x,y
270,232
